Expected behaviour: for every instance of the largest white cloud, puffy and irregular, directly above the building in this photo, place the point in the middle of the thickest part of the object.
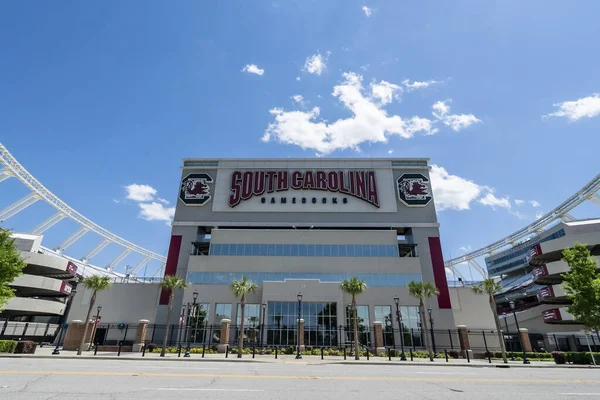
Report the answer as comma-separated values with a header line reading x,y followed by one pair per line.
x,y
369,121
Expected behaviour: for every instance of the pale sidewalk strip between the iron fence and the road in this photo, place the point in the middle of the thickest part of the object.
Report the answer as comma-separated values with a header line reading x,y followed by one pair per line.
x,y
46,352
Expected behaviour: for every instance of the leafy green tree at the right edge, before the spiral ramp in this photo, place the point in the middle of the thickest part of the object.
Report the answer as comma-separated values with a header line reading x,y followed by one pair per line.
x,y
582,285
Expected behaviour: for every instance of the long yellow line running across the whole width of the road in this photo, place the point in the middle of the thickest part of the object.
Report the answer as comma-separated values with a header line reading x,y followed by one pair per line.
x,y
314,377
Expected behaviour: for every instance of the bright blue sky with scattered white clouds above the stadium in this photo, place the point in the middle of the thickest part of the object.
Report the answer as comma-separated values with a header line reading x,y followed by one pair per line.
x,y
501,96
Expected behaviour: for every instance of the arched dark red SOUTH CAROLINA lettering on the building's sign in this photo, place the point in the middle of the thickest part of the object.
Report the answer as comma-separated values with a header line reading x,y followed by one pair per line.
x,y
359,184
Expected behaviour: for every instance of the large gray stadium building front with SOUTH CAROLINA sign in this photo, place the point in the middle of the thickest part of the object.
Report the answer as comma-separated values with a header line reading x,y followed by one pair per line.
x,y
302,226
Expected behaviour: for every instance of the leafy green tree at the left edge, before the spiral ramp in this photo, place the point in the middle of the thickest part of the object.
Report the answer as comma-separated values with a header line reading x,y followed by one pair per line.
x,y
11,266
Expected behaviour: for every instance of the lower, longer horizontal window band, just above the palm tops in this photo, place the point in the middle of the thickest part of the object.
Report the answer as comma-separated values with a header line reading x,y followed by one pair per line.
x,y
225,278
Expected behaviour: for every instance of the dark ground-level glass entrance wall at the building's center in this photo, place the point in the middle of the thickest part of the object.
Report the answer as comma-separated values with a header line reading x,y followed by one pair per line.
x,y
320,323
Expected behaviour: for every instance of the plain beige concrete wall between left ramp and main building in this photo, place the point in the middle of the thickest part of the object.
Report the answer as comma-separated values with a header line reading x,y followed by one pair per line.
x,y
123,302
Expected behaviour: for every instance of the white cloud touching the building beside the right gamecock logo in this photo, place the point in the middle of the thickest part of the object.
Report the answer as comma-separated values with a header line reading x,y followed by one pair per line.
x,y
452,191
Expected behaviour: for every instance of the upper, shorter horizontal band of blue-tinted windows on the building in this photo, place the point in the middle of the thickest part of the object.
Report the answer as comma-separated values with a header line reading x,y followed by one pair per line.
x,y
303,250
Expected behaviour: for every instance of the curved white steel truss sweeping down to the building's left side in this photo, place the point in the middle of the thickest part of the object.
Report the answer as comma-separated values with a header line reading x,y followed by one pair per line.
x,y
17,170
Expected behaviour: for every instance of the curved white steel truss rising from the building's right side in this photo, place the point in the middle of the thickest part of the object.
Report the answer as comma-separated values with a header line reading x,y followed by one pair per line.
x,y
585,193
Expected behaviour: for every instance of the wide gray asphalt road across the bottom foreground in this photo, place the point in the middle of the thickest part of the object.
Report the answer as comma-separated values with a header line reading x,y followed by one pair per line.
x,y
119,379
